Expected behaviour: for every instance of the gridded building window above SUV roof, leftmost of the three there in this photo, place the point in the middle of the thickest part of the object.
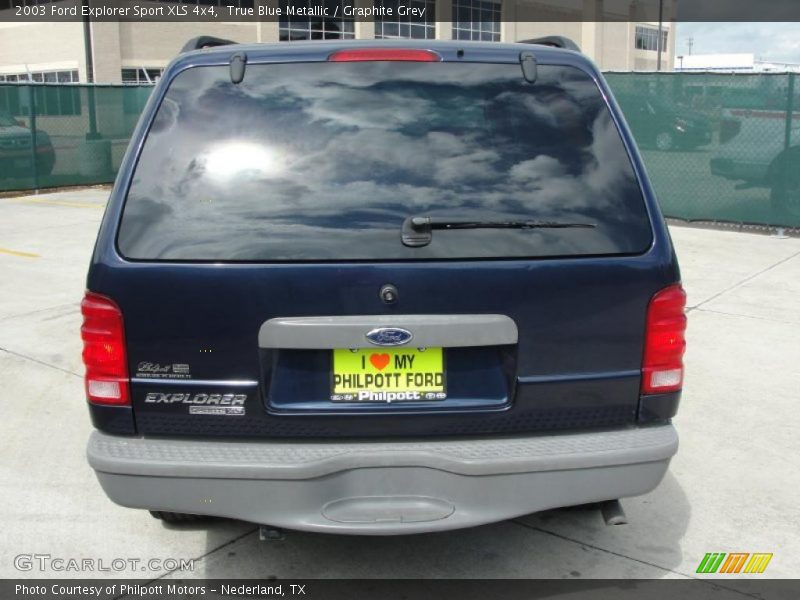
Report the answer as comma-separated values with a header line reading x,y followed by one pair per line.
x,y
303,27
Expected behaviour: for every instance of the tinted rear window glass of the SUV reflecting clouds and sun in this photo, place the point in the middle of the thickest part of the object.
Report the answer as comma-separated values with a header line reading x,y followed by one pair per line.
x,y
324,161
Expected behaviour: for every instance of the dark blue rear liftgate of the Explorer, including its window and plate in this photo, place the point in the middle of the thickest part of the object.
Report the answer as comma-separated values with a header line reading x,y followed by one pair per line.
x,y
267,290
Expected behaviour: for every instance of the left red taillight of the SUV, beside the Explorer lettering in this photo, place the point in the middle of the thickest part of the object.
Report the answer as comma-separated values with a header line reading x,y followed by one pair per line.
x,y
103,336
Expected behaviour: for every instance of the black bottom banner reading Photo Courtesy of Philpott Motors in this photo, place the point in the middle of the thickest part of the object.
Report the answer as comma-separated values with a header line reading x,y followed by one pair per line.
x,y
401,589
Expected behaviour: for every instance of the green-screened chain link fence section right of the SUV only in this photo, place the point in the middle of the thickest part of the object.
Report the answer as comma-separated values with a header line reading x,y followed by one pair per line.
x,y
718,147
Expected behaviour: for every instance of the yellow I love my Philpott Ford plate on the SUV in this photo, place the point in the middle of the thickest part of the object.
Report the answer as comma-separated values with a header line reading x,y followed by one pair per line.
x,y
388,375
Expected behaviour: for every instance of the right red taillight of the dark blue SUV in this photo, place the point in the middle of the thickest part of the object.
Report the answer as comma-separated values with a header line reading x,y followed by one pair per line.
x,y
665,342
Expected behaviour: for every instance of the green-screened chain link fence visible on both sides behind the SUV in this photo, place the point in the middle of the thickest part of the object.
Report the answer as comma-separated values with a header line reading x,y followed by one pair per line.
x,y
717,147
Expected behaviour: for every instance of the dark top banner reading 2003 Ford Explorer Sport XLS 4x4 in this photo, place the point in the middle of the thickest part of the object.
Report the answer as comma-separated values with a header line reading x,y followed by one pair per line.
x,y
413,10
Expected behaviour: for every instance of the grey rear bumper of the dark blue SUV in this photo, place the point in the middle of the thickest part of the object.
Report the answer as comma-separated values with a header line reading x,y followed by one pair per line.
x,y
380,487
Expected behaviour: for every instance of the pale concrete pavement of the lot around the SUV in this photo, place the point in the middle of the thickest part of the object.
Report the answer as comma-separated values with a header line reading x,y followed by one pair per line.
x,y
732,486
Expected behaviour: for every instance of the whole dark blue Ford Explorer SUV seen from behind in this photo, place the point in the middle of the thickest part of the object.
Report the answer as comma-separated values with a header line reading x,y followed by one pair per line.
x,y
381,288
